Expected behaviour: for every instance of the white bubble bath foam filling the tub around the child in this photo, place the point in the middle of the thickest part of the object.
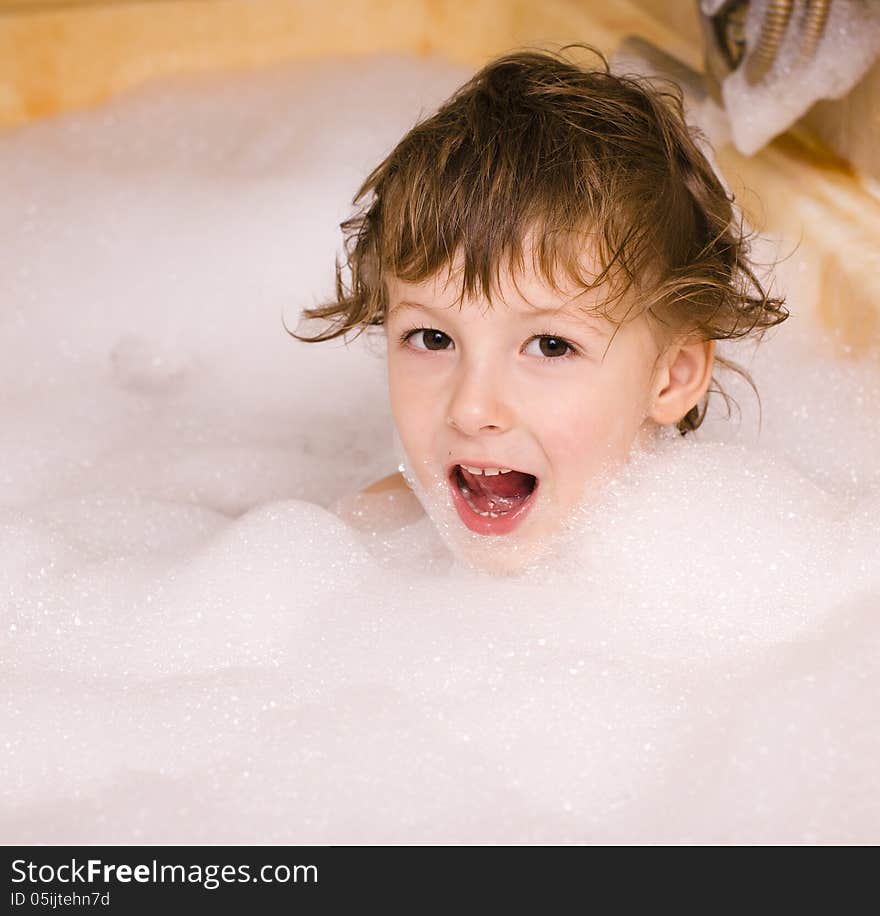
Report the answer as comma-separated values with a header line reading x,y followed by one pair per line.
x,y
198,650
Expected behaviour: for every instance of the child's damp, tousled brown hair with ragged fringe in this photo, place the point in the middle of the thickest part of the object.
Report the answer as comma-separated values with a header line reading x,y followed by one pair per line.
x,y
534,143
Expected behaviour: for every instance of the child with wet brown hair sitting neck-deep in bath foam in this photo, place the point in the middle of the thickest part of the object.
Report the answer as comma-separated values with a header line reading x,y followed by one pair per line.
x,y
552,259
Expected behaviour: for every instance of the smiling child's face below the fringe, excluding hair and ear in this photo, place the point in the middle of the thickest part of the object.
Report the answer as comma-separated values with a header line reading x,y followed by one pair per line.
x,y
525,384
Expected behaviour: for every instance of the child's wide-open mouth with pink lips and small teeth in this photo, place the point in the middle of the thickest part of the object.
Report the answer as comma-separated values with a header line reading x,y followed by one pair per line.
x,y
493,500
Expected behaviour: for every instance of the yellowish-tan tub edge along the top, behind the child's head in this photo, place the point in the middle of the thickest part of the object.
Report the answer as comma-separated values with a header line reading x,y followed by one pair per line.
x,y
62,54
